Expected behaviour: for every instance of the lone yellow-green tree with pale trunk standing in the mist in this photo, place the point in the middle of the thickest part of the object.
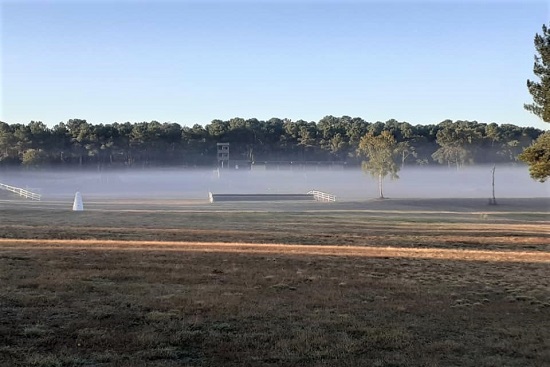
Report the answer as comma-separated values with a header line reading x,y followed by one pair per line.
x,y
381,152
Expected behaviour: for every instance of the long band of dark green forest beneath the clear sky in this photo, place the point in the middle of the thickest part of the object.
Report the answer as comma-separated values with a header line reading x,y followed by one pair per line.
x,y
78,143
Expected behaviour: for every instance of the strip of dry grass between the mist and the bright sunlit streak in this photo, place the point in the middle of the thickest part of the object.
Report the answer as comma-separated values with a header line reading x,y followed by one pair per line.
x,y
344,224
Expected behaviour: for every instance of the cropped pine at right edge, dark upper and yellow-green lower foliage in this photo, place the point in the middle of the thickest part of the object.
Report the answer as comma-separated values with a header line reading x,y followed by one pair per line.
x,y
538,154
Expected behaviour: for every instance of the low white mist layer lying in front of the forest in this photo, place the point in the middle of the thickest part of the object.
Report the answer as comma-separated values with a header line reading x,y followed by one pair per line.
x,y
346,184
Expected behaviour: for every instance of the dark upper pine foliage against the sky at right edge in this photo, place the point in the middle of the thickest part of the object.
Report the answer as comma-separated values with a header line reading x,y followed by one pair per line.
x,y
541,90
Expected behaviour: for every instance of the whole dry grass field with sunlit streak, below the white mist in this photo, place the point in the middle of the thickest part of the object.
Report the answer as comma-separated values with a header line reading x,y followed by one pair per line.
x,y
179,283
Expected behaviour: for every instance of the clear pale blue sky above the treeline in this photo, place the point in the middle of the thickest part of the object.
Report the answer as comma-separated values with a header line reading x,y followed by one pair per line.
x,y
194,61
